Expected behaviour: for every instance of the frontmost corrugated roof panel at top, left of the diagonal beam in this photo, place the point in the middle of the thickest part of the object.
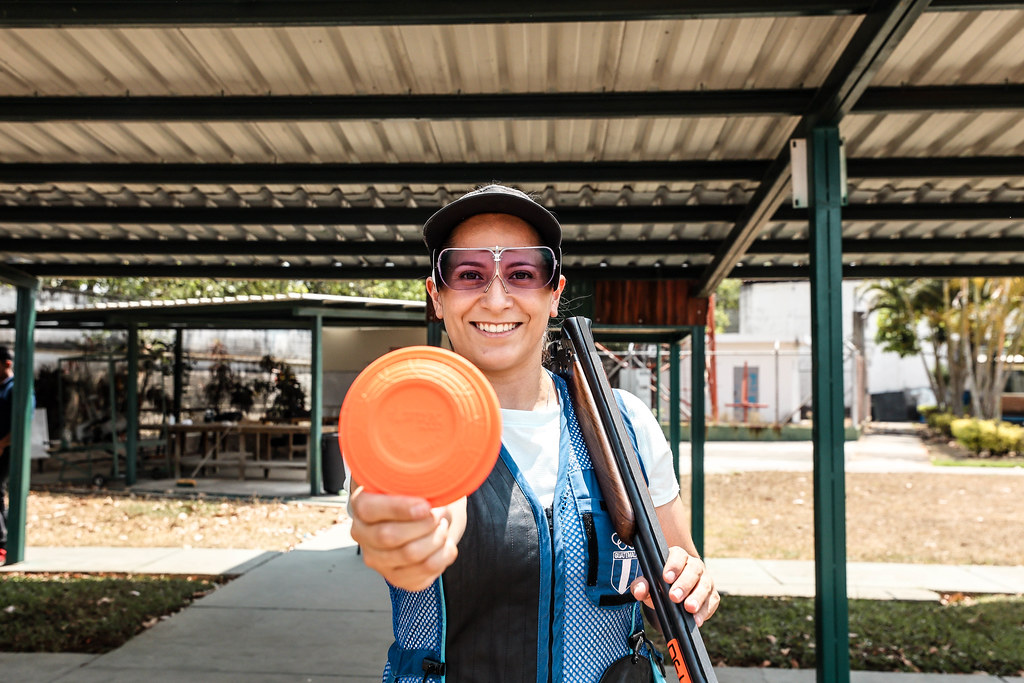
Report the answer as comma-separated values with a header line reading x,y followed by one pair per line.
x,y
500,58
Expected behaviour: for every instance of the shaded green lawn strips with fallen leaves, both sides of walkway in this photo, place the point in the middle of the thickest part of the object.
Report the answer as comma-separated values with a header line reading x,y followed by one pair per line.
x,y
80,614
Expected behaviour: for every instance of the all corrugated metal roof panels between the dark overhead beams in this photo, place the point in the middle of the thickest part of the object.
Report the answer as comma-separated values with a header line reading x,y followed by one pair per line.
x,y
756,55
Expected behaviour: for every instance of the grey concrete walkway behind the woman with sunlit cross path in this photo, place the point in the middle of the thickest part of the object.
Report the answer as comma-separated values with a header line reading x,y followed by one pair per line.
x,y
317,614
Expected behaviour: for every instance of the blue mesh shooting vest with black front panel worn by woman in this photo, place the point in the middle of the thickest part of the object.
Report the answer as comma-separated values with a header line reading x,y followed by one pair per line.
x,y
541,596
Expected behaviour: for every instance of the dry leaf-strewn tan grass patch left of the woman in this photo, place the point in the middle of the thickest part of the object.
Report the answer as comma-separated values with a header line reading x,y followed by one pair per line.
x,y
125,522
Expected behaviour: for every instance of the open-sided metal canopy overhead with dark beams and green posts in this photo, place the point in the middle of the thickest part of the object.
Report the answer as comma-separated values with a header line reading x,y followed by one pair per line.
x,y
311,140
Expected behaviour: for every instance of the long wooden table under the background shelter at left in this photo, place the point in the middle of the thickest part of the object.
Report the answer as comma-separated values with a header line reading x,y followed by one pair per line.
x,y
239,445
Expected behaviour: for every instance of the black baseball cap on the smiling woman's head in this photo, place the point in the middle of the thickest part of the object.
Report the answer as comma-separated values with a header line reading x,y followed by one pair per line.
x,y
493,199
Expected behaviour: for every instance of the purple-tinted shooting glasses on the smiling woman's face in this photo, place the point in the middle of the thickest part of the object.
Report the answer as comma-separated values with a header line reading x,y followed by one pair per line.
x,y
519,268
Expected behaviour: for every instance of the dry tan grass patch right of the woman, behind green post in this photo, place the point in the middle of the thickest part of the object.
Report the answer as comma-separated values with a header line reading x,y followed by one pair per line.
x,y
920,519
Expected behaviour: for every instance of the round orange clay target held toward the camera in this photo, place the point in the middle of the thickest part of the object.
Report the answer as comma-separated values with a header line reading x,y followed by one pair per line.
x,y
421,421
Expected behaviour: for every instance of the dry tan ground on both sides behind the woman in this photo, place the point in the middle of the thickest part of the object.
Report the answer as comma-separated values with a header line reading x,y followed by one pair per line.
x,y
923,519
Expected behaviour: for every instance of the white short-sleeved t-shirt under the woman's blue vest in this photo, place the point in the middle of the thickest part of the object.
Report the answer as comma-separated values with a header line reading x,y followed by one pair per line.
x,y
532,440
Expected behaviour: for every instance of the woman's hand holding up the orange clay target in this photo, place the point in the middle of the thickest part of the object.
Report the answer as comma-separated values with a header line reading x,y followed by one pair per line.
x,y
404,540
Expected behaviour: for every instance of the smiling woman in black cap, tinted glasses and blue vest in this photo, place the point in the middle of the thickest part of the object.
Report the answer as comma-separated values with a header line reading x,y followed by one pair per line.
x,y
524,581
